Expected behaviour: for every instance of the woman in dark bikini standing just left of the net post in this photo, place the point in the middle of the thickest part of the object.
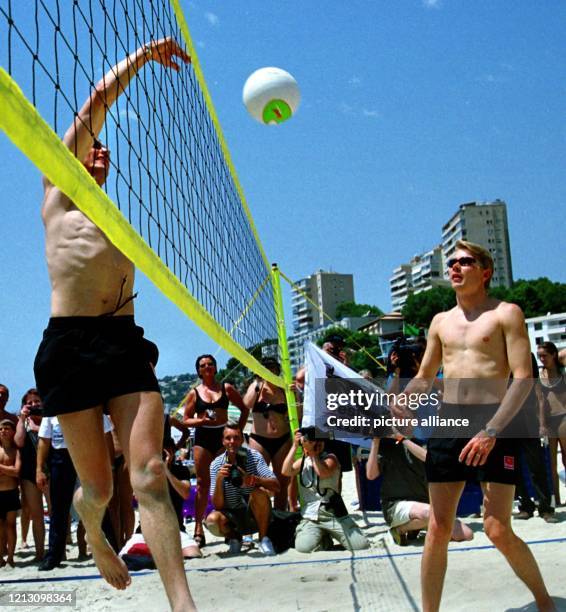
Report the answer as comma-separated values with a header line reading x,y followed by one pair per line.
x,y
270,433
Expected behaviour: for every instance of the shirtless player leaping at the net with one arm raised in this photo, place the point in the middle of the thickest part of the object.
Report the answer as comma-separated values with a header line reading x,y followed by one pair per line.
x,y
93,357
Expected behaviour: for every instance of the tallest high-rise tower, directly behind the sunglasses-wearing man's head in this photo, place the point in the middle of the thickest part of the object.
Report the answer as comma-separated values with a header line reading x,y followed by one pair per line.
x,y
484,223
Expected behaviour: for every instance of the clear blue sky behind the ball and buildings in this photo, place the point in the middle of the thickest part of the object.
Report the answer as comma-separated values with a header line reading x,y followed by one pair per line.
x,y
409,108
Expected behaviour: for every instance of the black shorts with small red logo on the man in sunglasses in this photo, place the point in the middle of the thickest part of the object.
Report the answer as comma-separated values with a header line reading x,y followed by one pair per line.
x,y
442,464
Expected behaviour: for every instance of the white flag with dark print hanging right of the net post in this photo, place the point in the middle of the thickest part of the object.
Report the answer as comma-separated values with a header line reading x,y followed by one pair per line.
x,y
317,365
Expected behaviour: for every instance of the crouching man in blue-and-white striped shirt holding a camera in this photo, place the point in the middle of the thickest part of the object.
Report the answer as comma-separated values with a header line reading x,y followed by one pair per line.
x,y
241,485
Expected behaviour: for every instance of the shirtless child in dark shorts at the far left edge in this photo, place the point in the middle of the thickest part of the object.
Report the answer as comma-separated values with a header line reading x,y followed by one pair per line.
x,y
9,495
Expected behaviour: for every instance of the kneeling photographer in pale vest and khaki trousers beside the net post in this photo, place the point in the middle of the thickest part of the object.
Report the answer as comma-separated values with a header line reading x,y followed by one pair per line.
x,y
324,514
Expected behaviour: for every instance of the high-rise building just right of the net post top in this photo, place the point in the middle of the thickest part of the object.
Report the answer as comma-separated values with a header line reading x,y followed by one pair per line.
x,y
326,290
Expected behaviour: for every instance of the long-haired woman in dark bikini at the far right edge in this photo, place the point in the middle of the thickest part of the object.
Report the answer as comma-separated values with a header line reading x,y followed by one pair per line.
x,y
553,422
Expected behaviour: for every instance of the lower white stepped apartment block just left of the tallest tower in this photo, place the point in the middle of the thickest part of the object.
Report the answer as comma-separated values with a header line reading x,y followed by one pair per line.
x,y
421,273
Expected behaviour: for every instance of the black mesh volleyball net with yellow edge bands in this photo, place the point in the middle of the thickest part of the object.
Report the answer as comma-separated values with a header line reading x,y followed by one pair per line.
x,y
172,203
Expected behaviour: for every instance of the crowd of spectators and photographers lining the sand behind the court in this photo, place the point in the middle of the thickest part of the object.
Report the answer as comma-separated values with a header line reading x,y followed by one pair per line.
x,y
246,483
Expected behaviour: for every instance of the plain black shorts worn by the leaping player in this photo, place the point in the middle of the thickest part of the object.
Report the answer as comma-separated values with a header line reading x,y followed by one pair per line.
x,y
83,362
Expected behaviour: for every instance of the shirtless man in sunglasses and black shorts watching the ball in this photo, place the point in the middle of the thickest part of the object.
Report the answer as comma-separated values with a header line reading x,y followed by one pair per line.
x,y
483,340
